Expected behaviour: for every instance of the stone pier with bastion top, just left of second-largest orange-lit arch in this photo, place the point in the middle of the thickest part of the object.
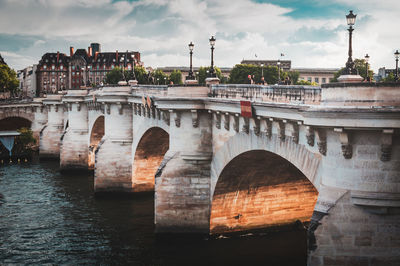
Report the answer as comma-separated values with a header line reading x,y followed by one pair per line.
x,y
113,155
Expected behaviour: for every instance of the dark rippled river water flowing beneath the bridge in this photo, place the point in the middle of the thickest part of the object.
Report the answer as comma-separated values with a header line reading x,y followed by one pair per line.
x,y
49,218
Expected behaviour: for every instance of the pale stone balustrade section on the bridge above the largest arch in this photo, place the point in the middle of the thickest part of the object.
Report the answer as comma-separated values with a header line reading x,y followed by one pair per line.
x,y
283,93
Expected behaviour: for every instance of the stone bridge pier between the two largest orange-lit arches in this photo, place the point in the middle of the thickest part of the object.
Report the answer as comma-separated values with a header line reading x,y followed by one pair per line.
x,y
182,189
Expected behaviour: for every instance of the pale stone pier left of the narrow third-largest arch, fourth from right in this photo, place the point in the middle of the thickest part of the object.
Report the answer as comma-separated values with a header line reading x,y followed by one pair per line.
x,y
74,148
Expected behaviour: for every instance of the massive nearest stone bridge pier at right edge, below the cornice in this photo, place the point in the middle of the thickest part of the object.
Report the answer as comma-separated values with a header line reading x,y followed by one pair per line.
x,y
360,225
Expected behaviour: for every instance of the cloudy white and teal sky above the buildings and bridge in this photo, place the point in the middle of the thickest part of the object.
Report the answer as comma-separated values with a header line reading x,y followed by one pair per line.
x,y
311,33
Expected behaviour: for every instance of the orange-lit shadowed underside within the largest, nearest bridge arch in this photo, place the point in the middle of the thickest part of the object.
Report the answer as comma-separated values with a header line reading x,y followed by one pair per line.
x,y
259,189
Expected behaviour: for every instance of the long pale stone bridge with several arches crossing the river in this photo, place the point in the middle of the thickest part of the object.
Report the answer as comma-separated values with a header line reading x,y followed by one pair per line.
x,y
229,158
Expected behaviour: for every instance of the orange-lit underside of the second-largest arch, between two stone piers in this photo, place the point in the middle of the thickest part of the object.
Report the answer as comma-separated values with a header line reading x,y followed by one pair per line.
x,y
149,154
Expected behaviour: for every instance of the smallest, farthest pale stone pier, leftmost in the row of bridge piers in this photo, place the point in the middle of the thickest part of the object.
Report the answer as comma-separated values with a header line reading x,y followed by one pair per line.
x,y
51,134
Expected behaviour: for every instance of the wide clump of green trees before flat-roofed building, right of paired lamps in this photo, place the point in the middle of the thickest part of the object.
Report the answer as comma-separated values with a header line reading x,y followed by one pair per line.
x,y
240,72
